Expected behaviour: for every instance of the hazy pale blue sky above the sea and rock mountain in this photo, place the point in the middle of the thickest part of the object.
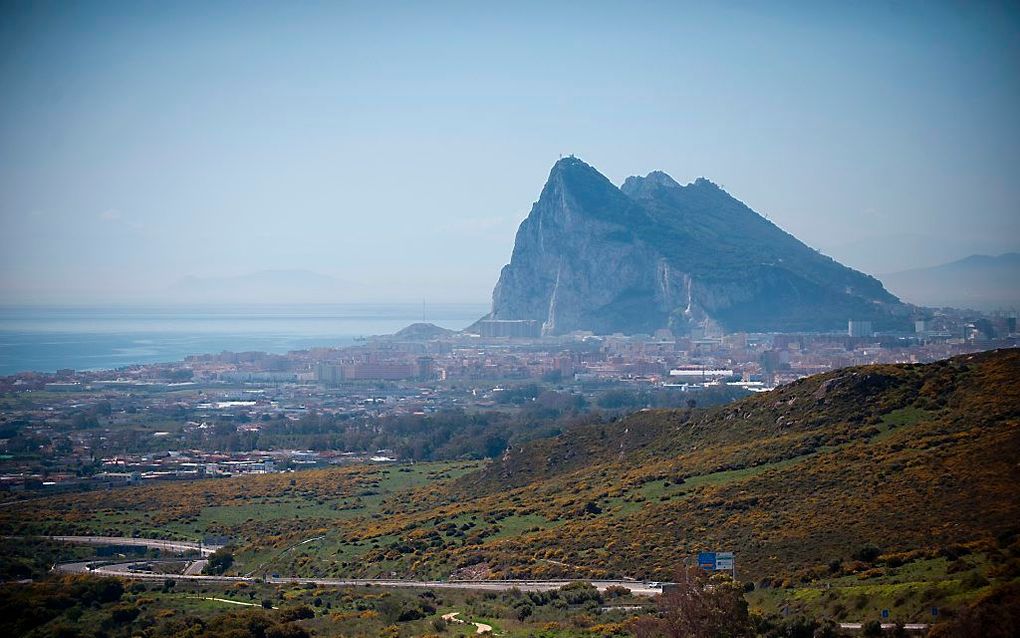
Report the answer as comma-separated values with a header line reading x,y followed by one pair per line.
x,y
402,144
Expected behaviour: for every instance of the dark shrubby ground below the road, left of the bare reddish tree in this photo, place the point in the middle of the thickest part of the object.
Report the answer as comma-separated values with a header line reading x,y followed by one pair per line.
x,y
82,606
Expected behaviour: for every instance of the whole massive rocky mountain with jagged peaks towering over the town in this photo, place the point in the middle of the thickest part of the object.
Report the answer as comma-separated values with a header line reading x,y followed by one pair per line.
x,y
657,255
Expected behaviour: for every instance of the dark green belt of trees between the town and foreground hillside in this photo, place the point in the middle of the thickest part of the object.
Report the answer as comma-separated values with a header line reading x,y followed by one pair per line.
x,y
538,412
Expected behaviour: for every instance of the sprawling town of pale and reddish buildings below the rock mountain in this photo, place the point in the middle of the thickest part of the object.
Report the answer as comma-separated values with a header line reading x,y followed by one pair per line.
x,y
252,413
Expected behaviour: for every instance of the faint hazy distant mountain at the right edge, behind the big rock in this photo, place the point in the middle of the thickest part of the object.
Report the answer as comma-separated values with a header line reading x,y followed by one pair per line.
x,y
979,282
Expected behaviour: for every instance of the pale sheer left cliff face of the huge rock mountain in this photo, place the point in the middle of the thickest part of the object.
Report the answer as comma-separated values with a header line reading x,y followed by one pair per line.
x,y
578,263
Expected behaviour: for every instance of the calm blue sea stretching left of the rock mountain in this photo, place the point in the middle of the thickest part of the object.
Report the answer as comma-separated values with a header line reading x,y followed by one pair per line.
x,y
45,339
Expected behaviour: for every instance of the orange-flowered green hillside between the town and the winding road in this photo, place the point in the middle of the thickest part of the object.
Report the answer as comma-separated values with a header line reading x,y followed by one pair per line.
x,y
840,474
